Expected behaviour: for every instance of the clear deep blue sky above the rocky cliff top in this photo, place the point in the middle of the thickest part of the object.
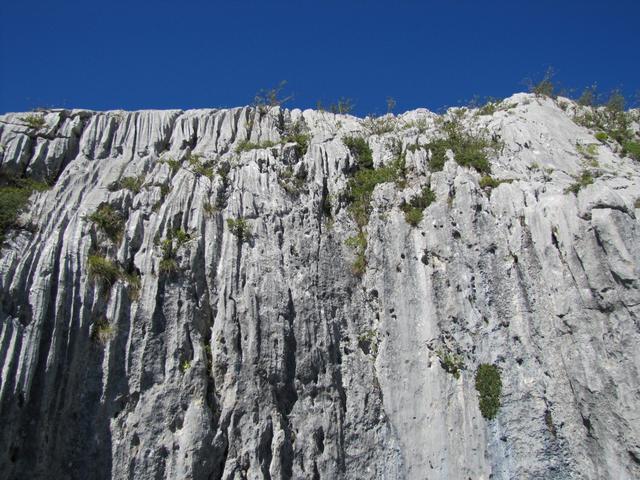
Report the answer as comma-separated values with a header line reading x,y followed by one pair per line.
x,y
187,54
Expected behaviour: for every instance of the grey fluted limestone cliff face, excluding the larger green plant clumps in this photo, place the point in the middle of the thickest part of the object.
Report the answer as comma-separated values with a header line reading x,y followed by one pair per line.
x,y
219,351
